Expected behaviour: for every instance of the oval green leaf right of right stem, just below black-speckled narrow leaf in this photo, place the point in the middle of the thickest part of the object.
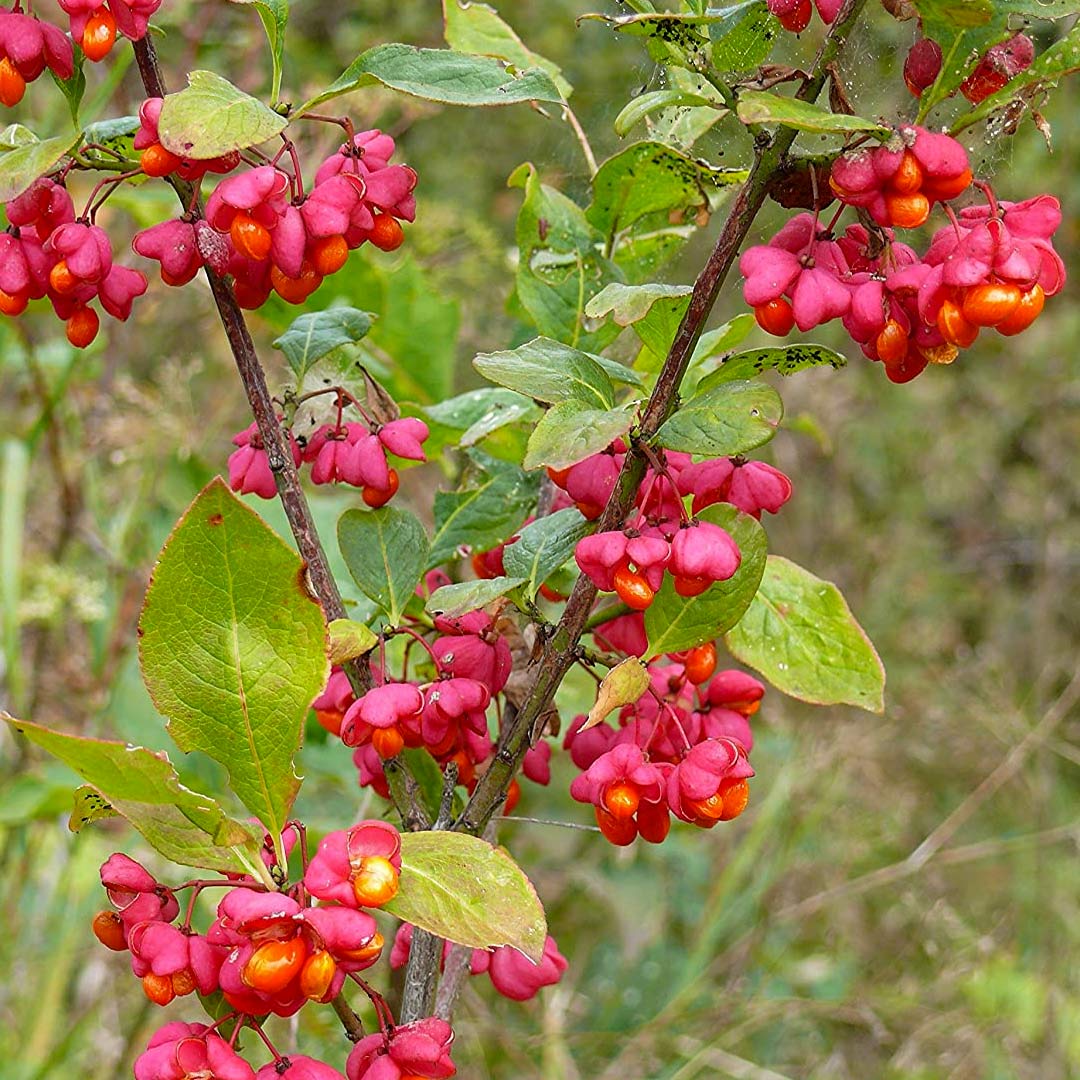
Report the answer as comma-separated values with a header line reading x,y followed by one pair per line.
x,y
727,420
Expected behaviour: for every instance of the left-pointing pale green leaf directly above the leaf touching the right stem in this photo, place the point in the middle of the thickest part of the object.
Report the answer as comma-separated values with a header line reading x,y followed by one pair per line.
x,y
548,371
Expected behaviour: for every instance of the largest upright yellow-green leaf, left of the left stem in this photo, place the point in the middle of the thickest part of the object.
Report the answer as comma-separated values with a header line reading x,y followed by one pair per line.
x,y
234,649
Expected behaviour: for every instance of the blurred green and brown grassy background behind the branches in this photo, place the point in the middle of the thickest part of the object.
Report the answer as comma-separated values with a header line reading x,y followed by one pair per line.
x,y
902,900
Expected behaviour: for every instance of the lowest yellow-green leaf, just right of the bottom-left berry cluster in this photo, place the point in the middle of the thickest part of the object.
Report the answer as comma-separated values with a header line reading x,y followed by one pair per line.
x,y
467,892
